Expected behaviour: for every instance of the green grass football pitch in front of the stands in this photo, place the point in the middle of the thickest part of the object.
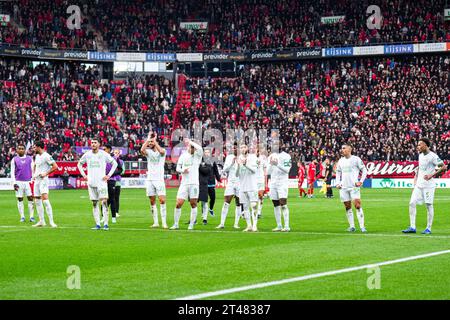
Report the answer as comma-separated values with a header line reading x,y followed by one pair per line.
x,y
318,259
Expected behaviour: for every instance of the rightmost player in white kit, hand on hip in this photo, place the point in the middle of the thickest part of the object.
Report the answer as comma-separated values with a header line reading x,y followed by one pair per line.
x,y
424,185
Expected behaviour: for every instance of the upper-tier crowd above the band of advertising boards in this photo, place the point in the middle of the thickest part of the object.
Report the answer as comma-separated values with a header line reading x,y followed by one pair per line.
x,y
154,25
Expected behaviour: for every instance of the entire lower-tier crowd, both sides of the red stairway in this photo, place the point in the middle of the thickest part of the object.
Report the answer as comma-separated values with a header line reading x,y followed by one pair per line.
x,y
381,105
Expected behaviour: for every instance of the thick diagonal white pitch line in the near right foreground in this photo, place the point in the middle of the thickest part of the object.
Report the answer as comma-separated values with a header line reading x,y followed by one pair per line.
x,y
308,277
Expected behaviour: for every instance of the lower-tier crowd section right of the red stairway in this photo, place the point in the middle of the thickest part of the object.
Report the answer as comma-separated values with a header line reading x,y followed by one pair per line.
x,y
381,105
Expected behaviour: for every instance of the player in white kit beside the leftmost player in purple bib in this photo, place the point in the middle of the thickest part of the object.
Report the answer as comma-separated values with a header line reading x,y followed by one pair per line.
x,y
43,166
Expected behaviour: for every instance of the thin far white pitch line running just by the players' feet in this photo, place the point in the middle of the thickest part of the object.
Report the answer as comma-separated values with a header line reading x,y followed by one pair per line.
x,y
24,228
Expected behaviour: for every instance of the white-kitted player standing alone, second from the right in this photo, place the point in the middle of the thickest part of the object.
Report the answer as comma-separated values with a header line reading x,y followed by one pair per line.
x,y
350,175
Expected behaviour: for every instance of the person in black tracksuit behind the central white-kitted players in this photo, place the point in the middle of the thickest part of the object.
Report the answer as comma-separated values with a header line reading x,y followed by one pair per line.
x,y
208,174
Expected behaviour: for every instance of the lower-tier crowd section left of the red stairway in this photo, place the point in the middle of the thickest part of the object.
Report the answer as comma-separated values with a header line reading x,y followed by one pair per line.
x,y
66,105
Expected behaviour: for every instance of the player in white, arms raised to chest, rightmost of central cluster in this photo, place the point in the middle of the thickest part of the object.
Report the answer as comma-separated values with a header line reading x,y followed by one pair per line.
x,y
279,167
